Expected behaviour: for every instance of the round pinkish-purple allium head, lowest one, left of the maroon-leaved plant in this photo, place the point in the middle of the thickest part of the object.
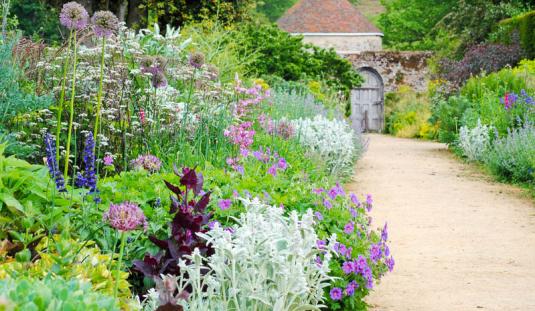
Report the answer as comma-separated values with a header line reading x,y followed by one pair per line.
x,y
126,216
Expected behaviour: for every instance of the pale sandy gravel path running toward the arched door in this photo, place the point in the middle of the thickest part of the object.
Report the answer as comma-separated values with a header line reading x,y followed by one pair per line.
x,y
460,240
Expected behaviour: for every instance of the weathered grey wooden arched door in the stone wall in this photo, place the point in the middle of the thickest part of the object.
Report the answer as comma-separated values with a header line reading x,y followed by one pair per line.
x,y
367,102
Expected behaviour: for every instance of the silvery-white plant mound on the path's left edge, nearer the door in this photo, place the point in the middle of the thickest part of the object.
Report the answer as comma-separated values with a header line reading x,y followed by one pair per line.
x,y
333,140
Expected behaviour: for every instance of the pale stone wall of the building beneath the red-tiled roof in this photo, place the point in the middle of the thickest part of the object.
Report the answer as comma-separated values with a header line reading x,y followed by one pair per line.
x,y
346,43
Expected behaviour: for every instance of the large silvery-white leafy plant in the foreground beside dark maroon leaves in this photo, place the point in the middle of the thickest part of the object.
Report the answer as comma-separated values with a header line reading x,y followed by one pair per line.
x,y
267,261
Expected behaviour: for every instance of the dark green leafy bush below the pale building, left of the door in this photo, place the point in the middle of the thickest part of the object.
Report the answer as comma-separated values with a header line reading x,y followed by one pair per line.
x,y
281,54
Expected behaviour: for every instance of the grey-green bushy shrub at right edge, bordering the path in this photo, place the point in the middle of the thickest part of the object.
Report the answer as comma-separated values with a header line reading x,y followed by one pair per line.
x,y
511,157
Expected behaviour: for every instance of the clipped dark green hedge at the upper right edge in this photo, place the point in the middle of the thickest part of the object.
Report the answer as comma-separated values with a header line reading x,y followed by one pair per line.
x,y
524,25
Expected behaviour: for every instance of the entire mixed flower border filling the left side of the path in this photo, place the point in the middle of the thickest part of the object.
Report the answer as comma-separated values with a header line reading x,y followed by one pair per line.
x,y
136,171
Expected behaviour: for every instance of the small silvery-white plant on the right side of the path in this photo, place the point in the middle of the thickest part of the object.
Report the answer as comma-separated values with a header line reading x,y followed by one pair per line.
x,y
474,142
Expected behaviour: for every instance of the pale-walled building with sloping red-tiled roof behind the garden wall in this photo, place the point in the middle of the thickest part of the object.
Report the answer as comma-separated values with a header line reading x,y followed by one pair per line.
x,y
332,24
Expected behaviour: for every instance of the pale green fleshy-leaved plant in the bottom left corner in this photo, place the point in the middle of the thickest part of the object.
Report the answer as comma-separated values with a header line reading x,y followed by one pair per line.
x,y
27,294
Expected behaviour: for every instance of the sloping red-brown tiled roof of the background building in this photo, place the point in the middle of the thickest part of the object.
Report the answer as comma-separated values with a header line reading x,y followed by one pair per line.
x,y
325,16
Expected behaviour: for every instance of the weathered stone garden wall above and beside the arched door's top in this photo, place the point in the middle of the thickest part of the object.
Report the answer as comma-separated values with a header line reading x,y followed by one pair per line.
x,y
396,68
